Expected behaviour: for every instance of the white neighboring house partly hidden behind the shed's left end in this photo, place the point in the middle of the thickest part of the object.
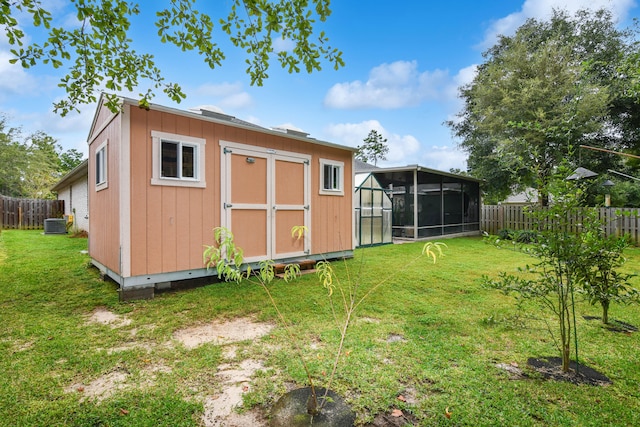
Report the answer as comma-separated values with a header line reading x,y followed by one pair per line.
x,y
73,189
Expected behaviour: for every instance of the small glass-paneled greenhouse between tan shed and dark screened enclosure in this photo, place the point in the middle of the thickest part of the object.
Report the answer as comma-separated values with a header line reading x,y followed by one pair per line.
x,y
373,211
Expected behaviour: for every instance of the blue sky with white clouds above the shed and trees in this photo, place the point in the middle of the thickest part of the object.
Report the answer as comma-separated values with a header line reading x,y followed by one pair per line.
x,y
404,64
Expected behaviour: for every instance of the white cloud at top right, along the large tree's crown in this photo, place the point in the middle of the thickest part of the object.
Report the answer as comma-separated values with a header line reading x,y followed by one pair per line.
x,y
542,9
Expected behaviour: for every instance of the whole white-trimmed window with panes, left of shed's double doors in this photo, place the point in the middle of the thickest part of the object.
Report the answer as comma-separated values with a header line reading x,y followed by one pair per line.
x,y
178,160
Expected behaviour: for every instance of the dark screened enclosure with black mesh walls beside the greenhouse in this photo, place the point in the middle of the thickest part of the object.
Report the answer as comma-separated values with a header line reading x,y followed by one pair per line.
x,y
428,203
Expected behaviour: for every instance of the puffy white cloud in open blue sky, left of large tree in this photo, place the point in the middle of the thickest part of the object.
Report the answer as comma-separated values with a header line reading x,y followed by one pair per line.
x,y
395,85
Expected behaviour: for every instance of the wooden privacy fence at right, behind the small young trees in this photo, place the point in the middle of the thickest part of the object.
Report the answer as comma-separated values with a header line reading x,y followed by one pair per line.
x,y
618,221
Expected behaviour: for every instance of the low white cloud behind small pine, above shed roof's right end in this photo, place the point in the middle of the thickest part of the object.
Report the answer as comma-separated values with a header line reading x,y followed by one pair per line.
x,y
402,148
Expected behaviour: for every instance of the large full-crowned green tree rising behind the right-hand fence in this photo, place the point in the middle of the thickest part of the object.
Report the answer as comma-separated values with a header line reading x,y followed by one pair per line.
x,y
540,94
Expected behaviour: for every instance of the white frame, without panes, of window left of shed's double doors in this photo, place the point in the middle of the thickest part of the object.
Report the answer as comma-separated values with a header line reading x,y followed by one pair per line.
x,y
198,181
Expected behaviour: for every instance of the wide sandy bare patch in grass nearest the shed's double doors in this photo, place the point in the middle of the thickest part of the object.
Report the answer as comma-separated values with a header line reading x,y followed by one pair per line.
x,y
220,333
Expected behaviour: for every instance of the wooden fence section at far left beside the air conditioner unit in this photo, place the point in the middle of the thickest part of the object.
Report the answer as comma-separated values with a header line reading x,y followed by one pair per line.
x,y
28,213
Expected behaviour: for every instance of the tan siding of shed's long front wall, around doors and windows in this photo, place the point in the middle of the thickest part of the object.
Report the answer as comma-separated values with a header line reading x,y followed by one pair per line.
x,y
170,225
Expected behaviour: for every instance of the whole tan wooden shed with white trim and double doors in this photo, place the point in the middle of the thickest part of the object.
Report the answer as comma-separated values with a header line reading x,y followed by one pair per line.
x,y
162,179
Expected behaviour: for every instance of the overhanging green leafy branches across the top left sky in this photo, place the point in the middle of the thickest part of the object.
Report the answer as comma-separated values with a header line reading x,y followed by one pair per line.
x,y
98,52
